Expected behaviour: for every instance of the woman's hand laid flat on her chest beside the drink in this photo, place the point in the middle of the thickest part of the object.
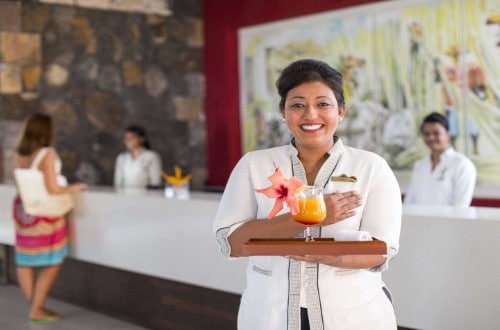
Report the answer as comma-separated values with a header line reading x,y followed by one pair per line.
x,y
340,206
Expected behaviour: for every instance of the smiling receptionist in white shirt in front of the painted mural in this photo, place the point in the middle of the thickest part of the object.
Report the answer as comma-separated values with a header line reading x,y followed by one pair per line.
x,y
445,177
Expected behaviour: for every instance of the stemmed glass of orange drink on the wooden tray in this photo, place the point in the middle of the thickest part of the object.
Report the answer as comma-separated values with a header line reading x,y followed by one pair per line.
x,y
312,209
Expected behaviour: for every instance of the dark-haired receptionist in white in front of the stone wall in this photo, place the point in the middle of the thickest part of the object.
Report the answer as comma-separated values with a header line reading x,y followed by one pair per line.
x,y
138,167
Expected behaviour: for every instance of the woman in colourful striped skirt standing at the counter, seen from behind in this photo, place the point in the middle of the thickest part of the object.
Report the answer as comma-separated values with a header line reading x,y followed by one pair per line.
x,y
41,242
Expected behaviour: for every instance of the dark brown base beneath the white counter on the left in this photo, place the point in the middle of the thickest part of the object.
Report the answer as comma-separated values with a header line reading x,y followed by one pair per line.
x,y
148,301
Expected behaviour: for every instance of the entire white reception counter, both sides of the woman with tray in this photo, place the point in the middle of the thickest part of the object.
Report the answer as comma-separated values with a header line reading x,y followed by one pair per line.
x,y
445,276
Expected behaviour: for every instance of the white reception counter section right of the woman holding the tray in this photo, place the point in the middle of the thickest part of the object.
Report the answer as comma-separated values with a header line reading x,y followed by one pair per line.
x,y
445,275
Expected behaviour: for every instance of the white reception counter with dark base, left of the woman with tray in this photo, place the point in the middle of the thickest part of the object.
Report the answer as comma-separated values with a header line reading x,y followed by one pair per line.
x,y
146,259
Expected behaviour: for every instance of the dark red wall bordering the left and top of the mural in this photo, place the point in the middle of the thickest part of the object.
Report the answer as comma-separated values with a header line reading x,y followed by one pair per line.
x,y
222,20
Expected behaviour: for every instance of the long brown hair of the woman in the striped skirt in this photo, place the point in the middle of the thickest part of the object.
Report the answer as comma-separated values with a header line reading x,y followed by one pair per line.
x,y
36,133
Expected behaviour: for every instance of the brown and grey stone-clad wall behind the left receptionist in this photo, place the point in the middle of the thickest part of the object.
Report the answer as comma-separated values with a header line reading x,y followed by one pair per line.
x,y
96,72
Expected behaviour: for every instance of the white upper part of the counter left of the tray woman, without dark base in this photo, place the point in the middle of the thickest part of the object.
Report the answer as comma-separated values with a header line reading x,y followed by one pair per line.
x,y
146,233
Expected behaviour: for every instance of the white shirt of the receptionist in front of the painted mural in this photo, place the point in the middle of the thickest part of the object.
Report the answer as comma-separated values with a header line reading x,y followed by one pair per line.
x,y
452,181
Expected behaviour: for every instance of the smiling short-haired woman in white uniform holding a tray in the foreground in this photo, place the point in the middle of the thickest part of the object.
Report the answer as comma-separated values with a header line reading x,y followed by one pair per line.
x,y
320,291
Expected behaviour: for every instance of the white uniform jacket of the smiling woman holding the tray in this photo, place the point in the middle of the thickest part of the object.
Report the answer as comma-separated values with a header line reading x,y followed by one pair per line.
x,y
336,298
